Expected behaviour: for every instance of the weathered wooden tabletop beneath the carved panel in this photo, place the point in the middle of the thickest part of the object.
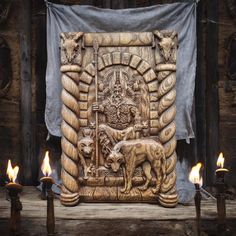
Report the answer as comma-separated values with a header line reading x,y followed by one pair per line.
x,y
34,207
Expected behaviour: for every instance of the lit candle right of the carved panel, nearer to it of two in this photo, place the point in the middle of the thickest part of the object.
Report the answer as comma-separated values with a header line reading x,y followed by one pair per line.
x,y
195,178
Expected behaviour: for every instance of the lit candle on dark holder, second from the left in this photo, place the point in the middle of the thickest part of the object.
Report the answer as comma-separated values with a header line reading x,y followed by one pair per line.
x,y
47,182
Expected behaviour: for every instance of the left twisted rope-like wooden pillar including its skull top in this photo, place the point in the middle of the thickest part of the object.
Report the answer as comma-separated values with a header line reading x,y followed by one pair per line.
x,y
71,67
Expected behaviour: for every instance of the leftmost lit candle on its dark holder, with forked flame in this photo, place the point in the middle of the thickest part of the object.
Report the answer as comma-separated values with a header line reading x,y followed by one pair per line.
x,y
13,190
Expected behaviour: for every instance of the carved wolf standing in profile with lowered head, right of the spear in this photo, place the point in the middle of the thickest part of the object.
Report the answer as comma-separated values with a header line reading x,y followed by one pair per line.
x,y
131,153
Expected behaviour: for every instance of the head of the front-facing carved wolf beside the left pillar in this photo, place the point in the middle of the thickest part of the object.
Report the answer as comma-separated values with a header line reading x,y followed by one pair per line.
x,y
86,144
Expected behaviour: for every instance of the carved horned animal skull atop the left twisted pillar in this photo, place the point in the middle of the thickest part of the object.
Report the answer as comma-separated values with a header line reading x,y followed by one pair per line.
x,y
70,45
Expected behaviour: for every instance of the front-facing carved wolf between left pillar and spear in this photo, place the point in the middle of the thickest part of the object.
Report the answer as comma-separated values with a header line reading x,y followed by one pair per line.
x,y
86,150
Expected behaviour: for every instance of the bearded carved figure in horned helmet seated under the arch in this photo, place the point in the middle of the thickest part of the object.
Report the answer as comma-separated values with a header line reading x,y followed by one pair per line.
x,y
122,118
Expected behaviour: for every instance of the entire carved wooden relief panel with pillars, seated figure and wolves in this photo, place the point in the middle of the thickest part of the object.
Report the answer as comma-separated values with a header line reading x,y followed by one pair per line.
x,y
118,111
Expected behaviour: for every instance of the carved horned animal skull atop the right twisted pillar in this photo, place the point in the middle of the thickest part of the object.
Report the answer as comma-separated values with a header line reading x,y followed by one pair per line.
x,y
166,44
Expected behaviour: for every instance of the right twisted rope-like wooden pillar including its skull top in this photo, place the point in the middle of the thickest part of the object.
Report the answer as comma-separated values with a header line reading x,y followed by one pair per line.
x,y
166,42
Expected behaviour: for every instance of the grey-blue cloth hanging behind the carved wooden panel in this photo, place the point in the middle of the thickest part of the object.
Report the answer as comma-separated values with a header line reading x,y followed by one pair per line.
x,y
178,16
